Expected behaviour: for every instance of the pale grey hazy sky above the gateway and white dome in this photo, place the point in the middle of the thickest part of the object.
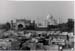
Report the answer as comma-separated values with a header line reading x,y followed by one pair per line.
x,y
36,10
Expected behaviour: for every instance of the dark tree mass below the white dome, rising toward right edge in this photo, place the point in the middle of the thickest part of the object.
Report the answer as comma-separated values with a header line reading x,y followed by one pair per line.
x,y
69,26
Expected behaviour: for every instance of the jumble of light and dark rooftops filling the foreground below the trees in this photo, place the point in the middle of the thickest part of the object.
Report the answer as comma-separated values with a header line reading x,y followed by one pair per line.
x,y
21,40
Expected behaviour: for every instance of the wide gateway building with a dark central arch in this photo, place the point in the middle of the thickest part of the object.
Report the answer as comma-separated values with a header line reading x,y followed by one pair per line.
x,y
20,24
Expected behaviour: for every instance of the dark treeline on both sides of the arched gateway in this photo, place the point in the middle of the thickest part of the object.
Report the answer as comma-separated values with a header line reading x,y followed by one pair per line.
x,y
69,26
